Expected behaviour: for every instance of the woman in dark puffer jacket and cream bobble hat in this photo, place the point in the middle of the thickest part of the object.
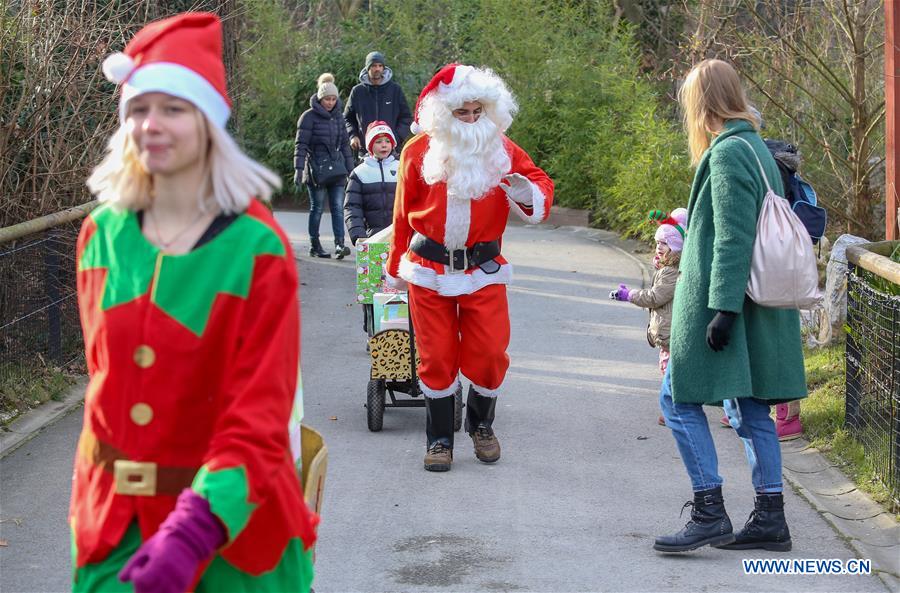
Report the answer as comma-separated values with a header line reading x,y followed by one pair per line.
x,y
322,138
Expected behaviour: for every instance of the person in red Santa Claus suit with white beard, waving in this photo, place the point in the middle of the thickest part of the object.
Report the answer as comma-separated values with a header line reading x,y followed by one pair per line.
x,y
459,178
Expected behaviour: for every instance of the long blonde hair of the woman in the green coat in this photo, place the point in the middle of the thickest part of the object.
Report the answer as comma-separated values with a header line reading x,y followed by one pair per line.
x,y
711,90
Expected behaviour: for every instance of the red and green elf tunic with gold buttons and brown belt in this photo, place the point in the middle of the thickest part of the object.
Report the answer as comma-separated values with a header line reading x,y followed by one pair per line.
x,y
193,363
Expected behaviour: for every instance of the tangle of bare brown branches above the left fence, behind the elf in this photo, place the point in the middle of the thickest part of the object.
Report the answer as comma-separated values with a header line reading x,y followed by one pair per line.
x,y
56,109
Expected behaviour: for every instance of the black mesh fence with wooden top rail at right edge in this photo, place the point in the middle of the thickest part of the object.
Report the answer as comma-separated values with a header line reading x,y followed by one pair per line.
x,y
873,358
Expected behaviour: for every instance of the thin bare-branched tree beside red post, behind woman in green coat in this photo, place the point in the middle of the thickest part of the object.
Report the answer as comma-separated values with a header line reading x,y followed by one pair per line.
x,y
817,66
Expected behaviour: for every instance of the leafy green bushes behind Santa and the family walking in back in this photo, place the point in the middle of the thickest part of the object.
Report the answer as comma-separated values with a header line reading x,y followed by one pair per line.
x,y
587,115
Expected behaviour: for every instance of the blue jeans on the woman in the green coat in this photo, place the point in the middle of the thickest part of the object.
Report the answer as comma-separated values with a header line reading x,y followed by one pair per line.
x,y
751,421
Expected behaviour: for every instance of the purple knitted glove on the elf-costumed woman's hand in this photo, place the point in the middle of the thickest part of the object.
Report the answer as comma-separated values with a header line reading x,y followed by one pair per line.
x,y
168,561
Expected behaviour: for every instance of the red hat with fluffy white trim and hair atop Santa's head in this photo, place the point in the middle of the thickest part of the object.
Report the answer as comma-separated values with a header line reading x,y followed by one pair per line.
x,y
454,84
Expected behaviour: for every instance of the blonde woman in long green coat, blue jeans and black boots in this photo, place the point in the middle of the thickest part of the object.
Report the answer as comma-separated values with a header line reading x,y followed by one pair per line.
x,y
726,349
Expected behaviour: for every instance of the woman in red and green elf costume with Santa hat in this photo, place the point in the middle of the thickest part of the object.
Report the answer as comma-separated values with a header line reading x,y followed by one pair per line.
x,y
187,290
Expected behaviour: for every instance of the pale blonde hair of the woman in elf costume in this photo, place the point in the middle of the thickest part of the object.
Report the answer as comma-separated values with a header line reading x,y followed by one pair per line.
x,y
232,178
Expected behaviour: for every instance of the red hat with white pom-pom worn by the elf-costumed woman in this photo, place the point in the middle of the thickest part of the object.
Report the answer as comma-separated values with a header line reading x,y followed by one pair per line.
x,y
180,56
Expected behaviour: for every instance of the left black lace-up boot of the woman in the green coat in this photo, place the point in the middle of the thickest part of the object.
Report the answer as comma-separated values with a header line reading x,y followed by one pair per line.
x,y
709,525
